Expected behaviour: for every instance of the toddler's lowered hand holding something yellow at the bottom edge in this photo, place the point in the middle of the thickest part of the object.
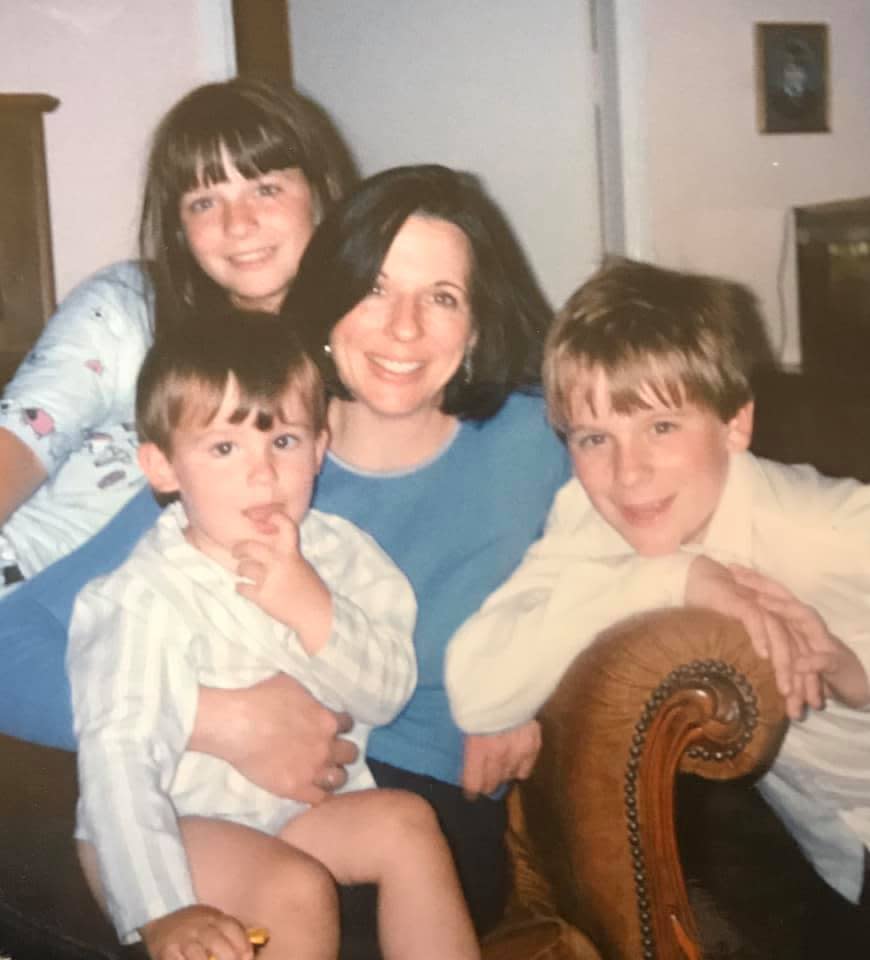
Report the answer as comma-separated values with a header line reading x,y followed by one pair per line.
x,y
197,933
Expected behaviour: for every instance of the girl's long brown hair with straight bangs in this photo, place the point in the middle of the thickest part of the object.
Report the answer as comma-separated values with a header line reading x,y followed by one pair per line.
x,y
260,128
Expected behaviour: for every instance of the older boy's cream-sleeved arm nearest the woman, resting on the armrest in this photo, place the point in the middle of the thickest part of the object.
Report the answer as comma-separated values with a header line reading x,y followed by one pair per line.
x,y
505,661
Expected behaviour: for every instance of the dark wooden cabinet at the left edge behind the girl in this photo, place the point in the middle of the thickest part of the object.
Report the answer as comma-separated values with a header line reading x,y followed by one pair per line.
x,y
26,264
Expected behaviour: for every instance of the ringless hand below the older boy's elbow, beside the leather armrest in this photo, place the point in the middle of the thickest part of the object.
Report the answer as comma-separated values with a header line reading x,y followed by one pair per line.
x,y
492,759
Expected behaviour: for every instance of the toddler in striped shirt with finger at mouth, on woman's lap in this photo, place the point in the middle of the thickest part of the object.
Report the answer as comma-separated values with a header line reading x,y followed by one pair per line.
x,y
239,580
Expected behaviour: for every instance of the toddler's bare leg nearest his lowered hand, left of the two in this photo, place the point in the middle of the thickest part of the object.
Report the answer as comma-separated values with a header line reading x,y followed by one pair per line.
x,y
264,882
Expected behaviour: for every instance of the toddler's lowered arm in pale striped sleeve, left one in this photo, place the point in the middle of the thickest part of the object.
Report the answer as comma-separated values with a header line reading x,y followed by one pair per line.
x,y
130,739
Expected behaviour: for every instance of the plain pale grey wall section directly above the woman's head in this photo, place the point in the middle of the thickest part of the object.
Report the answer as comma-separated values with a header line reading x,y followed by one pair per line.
x,y
504,88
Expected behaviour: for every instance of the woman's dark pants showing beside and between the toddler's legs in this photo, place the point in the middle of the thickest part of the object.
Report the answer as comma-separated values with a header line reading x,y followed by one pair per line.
x,y
475,832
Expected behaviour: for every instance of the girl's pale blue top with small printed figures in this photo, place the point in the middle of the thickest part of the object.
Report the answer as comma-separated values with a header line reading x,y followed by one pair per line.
x,y
72,403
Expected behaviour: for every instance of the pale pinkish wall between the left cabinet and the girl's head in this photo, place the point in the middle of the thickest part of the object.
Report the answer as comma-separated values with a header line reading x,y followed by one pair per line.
x,y
115,65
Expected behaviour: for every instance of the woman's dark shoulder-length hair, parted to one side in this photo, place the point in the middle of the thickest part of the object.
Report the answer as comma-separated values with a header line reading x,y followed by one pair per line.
x,y
342,261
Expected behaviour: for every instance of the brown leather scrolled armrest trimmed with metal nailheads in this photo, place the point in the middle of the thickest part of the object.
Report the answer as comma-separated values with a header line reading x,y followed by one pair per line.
x,y
667,692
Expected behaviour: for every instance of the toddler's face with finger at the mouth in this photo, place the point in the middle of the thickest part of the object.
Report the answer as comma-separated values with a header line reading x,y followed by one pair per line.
x,y
233,477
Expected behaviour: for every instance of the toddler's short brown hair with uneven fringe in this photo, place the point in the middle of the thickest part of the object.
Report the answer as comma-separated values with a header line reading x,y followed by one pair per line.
x,y
185,375
